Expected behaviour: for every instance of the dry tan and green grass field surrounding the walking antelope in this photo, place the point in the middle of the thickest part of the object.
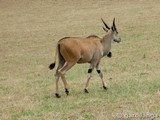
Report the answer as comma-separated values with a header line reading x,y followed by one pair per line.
x,y
29,31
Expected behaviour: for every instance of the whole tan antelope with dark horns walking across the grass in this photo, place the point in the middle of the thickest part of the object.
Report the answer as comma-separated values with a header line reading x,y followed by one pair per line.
x,y
72,50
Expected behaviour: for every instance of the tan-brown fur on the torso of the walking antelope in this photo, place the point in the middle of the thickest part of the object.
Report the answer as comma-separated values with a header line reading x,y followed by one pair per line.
x,y
81,50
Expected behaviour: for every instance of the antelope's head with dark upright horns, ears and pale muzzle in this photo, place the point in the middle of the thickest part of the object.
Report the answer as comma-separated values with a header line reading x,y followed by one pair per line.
x,y
113,29
